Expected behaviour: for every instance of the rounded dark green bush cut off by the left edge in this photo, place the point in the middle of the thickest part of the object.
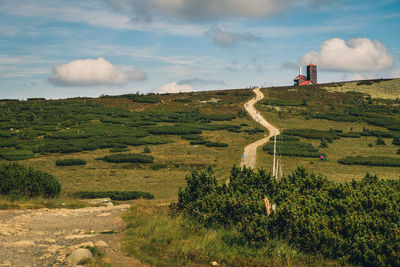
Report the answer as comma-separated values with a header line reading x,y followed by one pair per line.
x,y
18,181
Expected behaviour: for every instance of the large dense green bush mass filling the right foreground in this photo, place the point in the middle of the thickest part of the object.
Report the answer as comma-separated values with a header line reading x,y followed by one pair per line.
x,y
354,222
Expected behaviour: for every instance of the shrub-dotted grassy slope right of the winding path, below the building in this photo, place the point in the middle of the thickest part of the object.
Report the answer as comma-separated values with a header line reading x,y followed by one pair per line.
x,y
359,118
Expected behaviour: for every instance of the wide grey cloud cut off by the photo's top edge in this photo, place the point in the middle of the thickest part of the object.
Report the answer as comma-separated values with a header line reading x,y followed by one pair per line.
x,y
146,10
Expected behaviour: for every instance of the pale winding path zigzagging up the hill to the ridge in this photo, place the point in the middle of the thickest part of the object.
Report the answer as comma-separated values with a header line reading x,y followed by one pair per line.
x,y
250,151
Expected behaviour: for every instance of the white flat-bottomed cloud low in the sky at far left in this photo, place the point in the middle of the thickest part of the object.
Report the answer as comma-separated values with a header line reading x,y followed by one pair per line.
x,y
90,72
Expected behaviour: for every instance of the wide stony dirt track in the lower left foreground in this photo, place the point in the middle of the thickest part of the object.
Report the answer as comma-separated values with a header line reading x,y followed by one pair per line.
x,y
45,237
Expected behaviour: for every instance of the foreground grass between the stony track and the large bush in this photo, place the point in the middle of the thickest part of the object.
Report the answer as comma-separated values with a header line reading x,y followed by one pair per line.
x,y
155,237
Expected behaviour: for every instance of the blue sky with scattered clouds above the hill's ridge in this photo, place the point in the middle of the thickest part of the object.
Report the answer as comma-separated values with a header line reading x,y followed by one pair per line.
x,y
73,48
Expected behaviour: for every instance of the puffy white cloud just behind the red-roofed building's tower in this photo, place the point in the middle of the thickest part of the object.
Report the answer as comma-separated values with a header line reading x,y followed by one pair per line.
x,y
357,54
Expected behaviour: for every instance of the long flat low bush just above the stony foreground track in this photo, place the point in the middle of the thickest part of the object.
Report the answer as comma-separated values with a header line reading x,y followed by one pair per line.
x,y
114,195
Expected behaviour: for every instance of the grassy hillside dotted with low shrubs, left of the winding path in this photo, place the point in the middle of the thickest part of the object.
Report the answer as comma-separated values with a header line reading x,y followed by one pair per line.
x,y
89,129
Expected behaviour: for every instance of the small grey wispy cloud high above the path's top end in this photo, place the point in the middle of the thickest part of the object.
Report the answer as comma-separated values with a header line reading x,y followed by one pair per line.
x,y
227,38
